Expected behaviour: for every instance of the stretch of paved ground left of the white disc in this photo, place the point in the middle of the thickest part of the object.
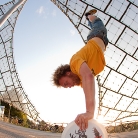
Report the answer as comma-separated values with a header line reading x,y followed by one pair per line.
x,y
8,130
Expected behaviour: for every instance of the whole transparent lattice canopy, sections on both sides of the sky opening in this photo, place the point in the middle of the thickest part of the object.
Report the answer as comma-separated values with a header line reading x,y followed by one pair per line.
x,y
118,83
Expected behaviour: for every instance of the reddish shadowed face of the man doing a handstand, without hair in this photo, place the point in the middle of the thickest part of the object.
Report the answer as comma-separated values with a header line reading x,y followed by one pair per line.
x,y
70,80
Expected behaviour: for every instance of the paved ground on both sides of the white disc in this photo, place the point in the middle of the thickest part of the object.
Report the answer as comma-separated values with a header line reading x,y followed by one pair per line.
x,y
8,130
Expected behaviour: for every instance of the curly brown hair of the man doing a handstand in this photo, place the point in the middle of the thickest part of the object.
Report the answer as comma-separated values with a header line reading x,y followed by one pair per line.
x,y
60,72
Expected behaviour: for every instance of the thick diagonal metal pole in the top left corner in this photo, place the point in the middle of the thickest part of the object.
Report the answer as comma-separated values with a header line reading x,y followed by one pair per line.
x,y
7,15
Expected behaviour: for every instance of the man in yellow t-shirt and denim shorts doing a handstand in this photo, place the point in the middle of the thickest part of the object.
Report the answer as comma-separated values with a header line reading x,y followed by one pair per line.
x,y
88,62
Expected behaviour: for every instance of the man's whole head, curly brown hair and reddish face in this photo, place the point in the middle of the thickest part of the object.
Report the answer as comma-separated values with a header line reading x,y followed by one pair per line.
x,y
63,77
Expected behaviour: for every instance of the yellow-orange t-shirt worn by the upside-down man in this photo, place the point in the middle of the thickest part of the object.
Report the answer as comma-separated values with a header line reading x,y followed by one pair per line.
x,y
92,54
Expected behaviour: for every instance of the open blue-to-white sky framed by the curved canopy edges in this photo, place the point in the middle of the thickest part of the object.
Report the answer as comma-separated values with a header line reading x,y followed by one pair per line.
x,y
44,38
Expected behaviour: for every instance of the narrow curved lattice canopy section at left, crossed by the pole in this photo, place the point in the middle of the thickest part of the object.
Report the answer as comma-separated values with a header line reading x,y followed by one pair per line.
x,y
11,90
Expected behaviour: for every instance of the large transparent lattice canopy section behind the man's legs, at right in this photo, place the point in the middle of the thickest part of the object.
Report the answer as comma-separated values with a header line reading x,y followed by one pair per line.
x,y
118,95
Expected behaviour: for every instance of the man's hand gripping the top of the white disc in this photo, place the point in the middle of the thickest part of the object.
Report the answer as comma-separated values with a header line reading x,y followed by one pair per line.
x,y
82,120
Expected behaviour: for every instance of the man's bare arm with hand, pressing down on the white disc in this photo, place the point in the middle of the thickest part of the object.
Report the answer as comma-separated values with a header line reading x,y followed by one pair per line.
x,y
88,84
